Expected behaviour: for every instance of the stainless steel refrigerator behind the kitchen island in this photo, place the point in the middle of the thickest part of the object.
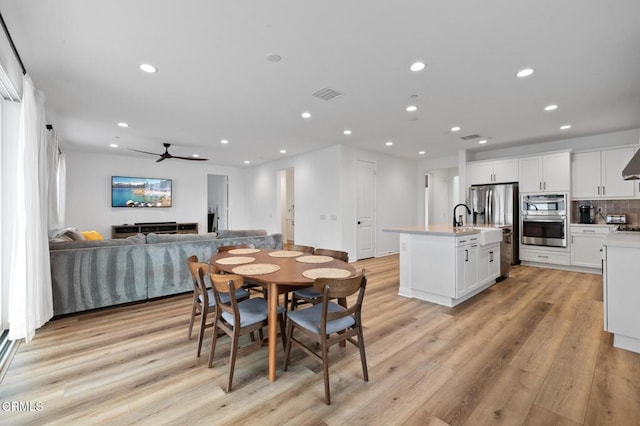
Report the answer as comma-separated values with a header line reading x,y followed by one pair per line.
x,y
498,205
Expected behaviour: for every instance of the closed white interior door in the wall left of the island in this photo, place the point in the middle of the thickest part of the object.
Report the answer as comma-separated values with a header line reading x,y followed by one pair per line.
x,y
365,210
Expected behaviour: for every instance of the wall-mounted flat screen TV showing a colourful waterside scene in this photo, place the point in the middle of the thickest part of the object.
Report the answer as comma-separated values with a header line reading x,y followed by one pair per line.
x,y
140,192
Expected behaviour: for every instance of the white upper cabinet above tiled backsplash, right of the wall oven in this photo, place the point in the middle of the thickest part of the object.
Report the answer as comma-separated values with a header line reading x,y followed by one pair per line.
x,y
598,174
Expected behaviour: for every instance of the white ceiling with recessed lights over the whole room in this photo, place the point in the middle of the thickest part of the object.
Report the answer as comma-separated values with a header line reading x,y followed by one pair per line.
x,y
214,80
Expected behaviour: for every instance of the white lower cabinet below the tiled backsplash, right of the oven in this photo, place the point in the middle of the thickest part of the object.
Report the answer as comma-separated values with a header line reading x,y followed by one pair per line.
x,y
586,245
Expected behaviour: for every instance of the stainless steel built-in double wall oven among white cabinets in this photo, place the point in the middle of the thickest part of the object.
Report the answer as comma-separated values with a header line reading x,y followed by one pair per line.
x,y
543,220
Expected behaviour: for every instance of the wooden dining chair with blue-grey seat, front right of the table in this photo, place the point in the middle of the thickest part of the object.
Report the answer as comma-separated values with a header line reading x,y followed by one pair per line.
x,y
328,323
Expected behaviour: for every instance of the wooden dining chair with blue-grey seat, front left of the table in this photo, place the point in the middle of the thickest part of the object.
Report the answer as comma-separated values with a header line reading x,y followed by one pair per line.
x,y
237,318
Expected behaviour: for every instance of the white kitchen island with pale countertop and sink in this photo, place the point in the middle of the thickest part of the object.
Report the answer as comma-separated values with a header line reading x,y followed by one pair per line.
x,y
447,265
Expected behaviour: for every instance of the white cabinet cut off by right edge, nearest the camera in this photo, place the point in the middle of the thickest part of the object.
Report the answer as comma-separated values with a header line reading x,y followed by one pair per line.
x,y
621,289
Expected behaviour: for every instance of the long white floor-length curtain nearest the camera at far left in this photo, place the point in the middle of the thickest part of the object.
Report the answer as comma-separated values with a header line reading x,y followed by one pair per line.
x,y
30,297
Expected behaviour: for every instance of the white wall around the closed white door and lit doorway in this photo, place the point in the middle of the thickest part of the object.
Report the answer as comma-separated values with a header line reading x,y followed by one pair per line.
x,y
325,187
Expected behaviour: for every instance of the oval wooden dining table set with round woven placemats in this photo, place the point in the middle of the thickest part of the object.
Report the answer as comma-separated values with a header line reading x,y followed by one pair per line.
x,y
279,271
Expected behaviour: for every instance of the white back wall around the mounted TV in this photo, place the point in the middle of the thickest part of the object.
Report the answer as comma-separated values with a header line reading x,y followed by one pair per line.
x,y
89,191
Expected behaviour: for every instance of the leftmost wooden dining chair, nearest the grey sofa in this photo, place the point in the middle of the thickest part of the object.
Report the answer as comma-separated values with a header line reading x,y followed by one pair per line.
x,y
203,300
